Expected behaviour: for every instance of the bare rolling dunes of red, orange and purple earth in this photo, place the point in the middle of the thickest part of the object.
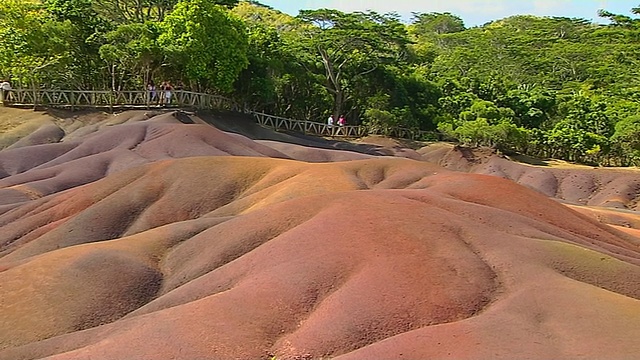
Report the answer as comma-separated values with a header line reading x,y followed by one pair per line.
x,y
150,235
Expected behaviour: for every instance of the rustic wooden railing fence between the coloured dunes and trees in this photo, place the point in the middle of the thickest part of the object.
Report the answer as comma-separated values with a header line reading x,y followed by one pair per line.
x,y
122,100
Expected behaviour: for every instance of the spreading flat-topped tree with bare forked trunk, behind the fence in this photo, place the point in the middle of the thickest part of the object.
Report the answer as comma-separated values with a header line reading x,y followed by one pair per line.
x,y
347,46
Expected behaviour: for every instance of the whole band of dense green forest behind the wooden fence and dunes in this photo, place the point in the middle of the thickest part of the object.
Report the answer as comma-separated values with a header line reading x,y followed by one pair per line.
x,y
550,87
